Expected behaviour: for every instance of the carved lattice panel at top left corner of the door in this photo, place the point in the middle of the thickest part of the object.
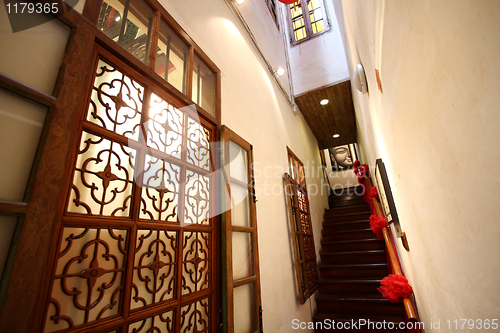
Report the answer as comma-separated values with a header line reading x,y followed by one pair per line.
x,y
116,101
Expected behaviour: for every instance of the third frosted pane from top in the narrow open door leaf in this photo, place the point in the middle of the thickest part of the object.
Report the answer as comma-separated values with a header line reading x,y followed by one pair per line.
x,y
242,255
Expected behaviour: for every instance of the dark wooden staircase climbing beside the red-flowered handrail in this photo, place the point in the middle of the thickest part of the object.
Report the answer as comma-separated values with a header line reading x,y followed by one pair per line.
x,y
352,264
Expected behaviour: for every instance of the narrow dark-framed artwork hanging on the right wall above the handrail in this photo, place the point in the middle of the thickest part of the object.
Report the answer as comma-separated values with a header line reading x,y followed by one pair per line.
x,y
385,194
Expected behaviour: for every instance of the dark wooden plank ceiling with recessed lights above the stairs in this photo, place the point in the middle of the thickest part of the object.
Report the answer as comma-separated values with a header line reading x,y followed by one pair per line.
x,y
337,117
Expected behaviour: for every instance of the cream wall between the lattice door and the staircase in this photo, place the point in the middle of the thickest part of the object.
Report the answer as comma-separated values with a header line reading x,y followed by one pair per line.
x,y
254,107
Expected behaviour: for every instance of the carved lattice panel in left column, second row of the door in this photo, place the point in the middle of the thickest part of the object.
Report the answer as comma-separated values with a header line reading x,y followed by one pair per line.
x,y
103,178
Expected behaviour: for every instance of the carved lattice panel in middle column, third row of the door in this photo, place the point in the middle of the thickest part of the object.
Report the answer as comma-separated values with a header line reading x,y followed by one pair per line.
x,y
154,268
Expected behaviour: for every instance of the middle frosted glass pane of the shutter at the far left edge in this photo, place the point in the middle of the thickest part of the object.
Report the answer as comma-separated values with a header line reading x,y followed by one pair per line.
x,y
21,124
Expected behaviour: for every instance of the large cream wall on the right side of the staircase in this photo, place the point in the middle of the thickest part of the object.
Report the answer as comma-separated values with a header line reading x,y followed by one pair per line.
x,y
437,128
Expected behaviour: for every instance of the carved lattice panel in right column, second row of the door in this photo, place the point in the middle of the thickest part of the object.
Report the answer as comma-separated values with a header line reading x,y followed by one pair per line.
x,y
197,198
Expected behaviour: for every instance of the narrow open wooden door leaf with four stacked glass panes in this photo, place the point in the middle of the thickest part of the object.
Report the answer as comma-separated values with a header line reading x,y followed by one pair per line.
x,y
242,310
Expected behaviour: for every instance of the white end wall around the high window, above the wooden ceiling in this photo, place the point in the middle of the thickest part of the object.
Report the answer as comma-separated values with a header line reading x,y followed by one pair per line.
x,y
320,61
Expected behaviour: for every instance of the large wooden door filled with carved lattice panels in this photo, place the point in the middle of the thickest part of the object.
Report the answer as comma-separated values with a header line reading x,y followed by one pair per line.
x,y
135,249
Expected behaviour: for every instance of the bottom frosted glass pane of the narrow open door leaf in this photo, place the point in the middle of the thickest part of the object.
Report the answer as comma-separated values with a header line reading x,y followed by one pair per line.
x,y
244,308
